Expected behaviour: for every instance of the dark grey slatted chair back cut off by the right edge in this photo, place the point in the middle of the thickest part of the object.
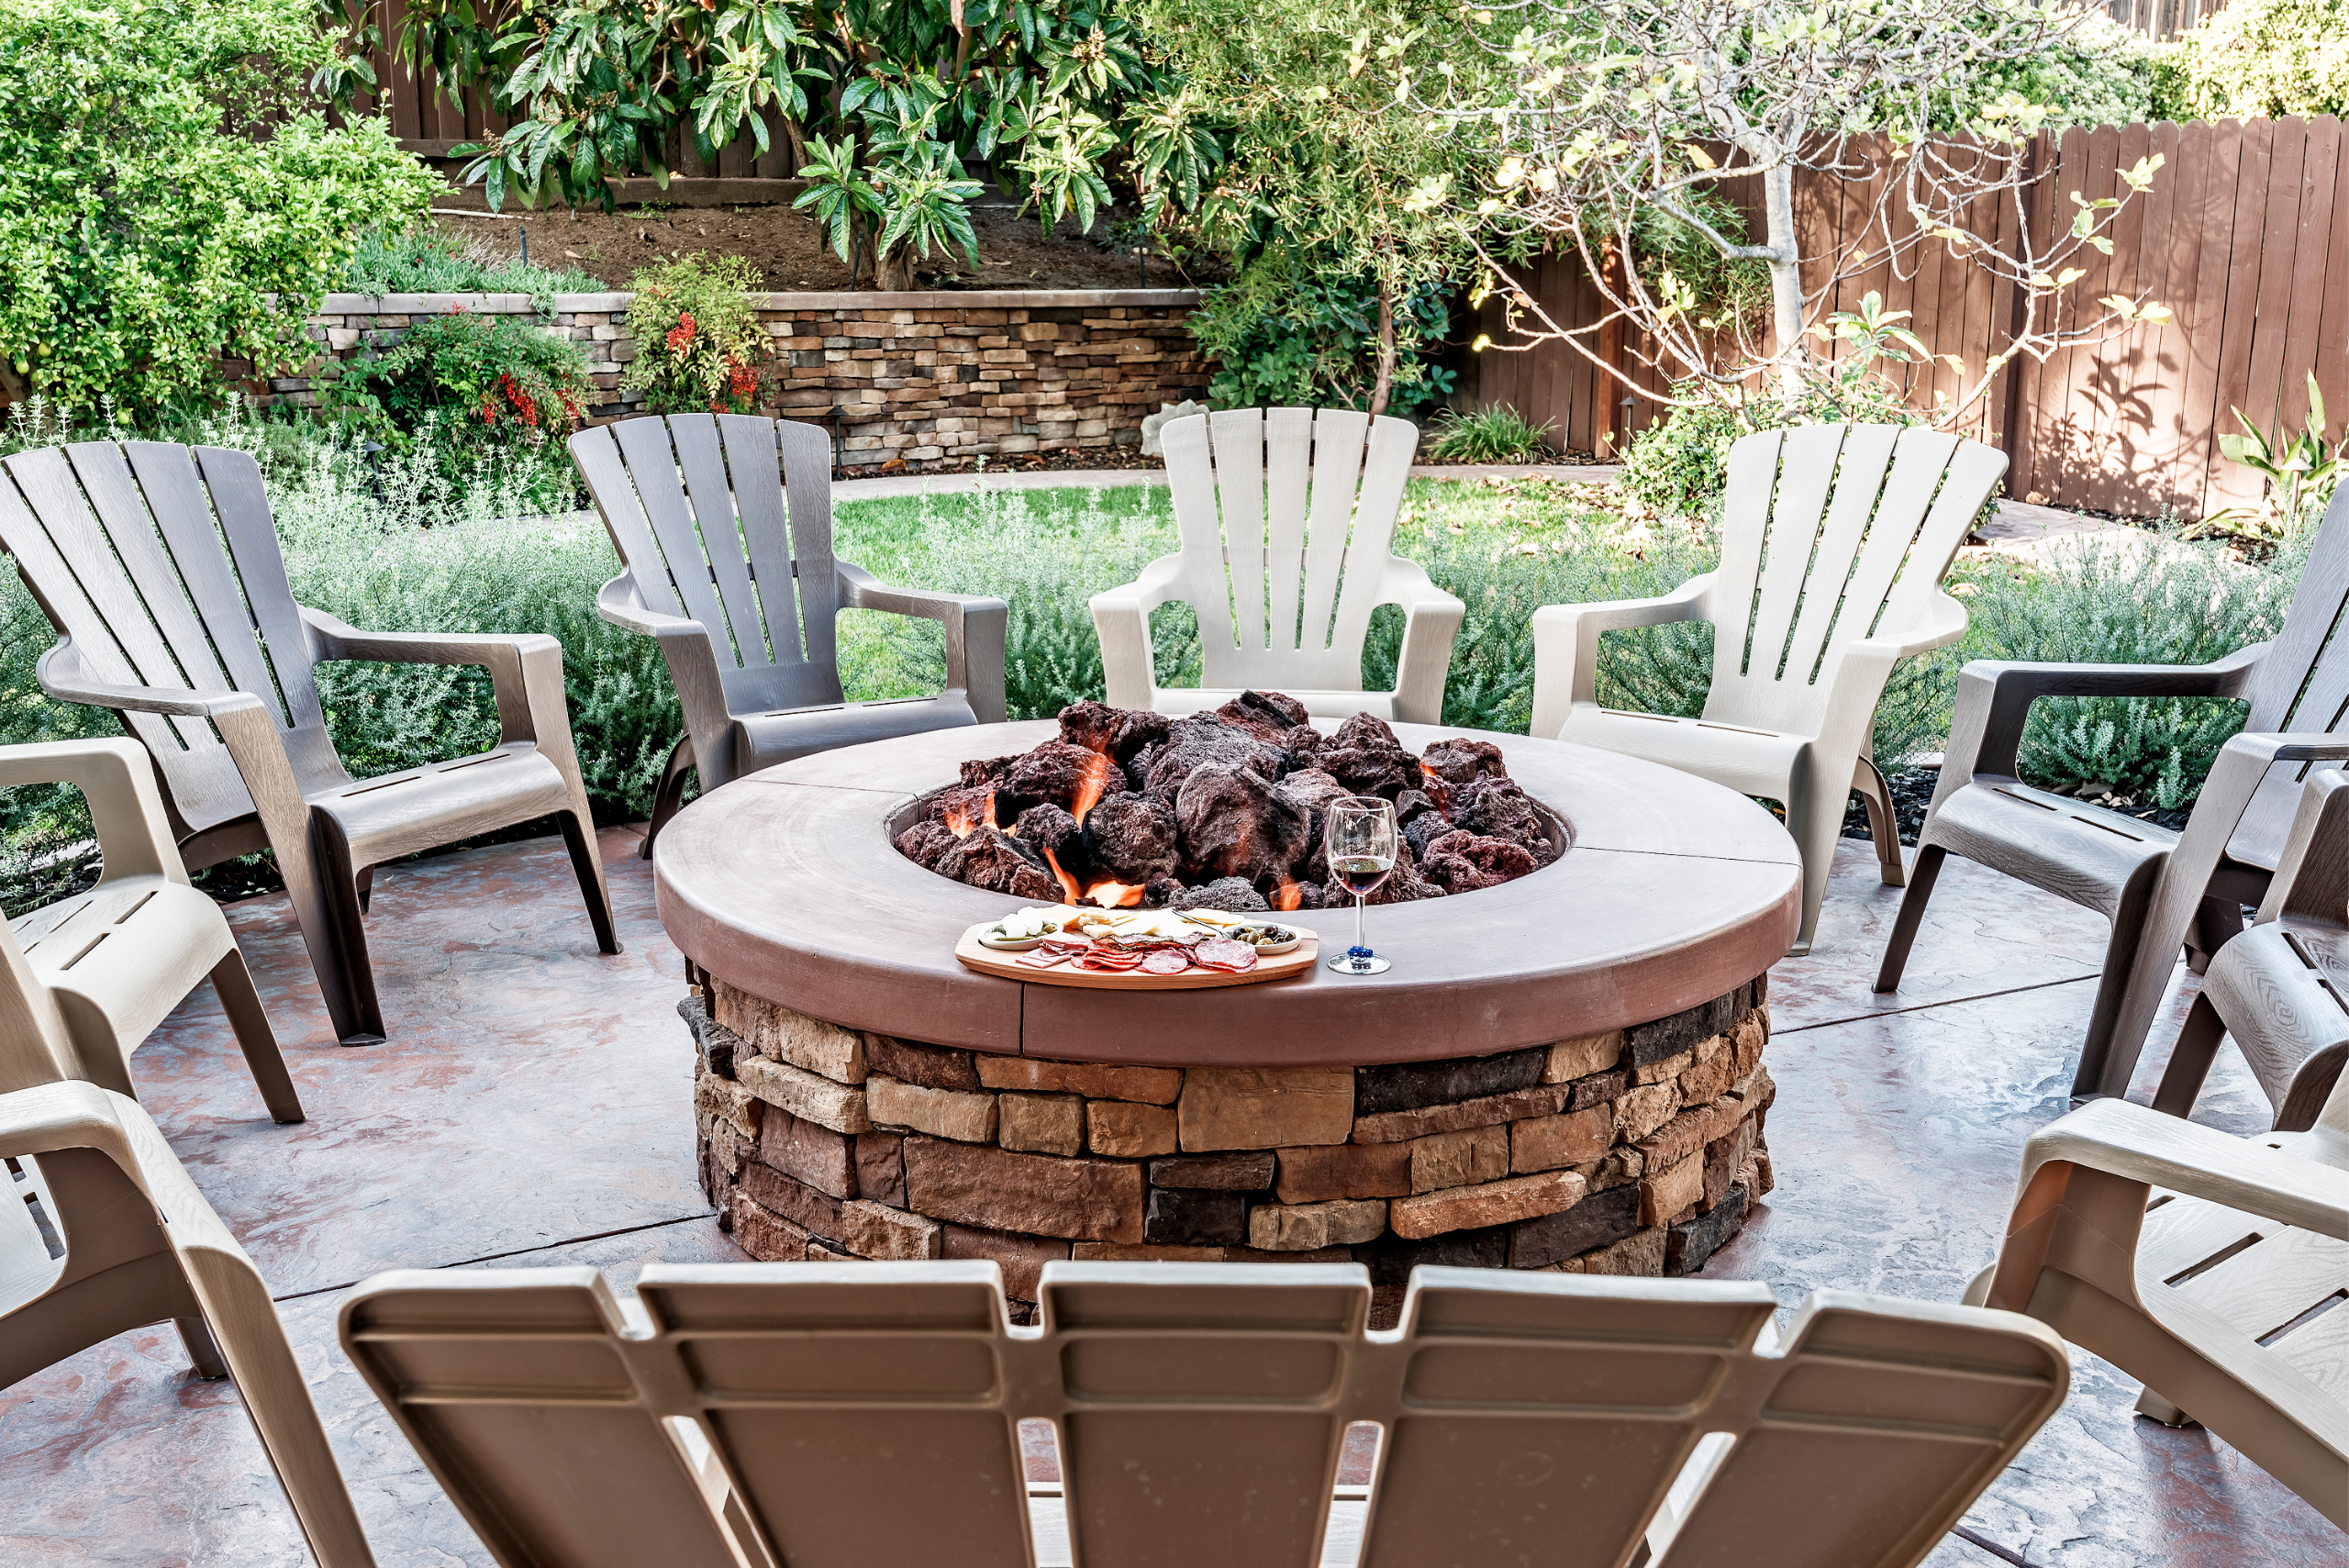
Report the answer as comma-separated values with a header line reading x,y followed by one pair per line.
x,y
2301,687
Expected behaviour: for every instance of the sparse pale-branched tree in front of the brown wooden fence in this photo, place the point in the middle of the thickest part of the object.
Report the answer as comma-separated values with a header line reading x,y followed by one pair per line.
x,y
1608,116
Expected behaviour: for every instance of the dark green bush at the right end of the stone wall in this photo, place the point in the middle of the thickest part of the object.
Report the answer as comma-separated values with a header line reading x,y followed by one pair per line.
x,y
1295,330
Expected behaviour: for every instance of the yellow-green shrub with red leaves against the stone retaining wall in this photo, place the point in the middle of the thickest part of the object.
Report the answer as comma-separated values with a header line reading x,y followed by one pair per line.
x,y
699,342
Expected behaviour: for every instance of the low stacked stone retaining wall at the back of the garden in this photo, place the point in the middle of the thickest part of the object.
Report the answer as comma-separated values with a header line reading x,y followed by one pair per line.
x,y
898,377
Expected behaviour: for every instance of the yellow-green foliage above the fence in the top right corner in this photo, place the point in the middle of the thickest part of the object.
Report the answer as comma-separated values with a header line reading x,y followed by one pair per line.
x,y
2263,58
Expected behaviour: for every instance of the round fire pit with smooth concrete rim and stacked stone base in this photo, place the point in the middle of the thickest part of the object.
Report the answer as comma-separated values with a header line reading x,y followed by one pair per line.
x,y
1563,1072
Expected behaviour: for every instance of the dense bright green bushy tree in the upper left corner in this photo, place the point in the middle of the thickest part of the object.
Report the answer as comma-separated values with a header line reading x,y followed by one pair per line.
x,y
168,201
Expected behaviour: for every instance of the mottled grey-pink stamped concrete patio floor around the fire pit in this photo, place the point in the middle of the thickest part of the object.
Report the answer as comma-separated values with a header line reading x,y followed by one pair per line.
x,y
534,1109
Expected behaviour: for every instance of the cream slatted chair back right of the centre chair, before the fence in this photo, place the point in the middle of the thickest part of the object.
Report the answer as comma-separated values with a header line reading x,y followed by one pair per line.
x,y
1833,534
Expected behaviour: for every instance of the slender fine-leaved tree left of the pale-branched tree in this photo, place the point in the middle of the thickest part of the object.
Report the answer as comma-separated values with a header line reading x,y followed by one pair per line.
x,y
1324,163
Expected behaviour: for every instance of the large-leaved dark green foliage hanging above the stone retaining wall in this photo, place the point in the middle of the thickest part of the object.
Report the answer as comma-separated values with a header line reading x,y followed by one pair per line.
x,y
880,102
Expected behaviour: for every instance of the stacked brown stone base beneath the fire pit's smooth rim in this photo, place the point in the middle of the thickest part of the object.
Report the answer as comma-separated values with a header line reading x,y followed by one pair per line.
x,y
1624,1154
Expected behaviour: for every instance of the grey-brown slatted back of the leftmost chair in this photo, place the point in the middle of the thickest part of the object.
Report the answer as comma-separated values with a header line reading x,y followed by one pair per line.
x,y
163,567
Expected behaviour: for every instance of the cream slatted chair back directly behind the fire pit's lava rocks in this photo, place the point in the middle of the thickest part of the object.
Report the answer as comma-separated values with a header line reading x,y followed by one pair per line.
x,y
1286,522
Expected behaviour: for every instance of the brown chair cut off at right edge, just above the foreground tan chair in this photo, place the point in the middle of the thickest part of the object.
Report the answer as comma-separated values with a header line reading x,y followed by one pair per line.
x,y
2282,989
